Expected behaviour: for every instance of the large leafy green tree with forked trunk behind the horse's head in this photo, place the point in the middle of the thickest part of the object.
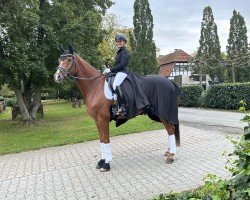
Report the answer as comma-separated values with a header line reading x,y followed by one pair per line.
x,y
30,32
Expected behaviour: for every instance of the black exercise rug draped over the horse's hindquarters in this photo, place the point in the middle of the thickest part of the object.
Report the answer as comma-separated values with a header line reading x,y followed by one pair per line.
x,y
157,96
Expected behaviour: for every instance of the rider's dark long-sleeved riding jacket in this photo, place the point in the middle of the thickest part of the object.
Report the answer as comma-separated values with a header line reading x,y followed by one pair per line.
x,y
121,60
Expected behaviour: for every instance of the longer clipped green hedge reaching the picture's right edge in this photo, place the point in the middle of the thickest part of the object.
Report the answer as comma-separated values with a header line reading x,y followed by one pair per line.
x,y
227,96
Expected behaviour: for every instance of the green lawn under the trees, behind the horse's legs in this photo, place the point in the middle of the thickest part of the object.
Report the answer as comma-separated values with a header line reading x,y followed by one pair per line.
x,y
61,125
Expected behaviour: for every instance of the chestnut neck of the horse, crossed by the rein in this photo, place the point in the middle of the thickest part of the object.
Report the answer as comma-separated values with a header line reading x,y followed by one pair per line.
x,y
85,70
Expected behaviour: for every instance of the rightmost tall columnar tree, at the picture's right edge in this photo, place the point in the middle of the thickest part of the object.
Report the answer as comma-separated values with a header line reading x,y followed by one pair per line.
x,y
237,50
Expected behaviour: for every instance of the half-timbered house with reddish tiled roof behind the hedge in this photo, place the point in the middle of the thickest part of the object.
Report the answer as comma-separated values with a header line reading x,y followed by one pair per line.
x,y
175,64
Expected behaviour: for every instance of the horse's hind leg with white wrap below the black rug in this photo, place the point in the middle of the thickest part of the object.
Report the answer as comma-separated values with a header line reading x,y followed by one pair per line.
x,y
173,140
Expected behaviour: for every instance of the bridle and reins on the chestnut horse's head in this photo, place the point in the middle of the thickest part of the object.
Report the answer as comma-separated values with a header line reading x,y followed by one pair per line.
x,y
67,72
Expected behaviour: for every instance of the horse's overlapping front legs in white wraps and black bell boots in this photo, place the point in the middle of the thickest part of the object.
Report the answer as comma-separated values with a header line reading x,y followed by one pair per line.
x,y
104,163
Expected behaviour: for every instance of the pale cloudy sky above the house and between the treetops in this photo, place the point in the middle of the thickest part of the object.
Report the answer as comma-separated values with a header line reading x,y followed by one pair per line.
x,y
177,23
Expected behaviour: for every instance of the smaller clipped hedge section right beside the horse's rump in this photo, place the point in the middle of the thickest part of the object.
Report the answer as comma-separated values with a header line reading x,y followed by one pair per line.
x,y
190,96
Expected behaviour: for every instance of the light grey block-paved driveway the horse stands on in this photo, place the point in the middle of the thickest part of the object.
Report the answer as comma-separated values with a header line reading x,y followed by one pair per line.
x,y
138,168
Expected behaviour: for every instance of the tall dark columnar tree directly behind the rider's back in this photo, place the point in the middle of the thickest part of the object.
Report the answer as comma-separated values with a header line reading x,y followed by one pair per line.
x,y
143,56
